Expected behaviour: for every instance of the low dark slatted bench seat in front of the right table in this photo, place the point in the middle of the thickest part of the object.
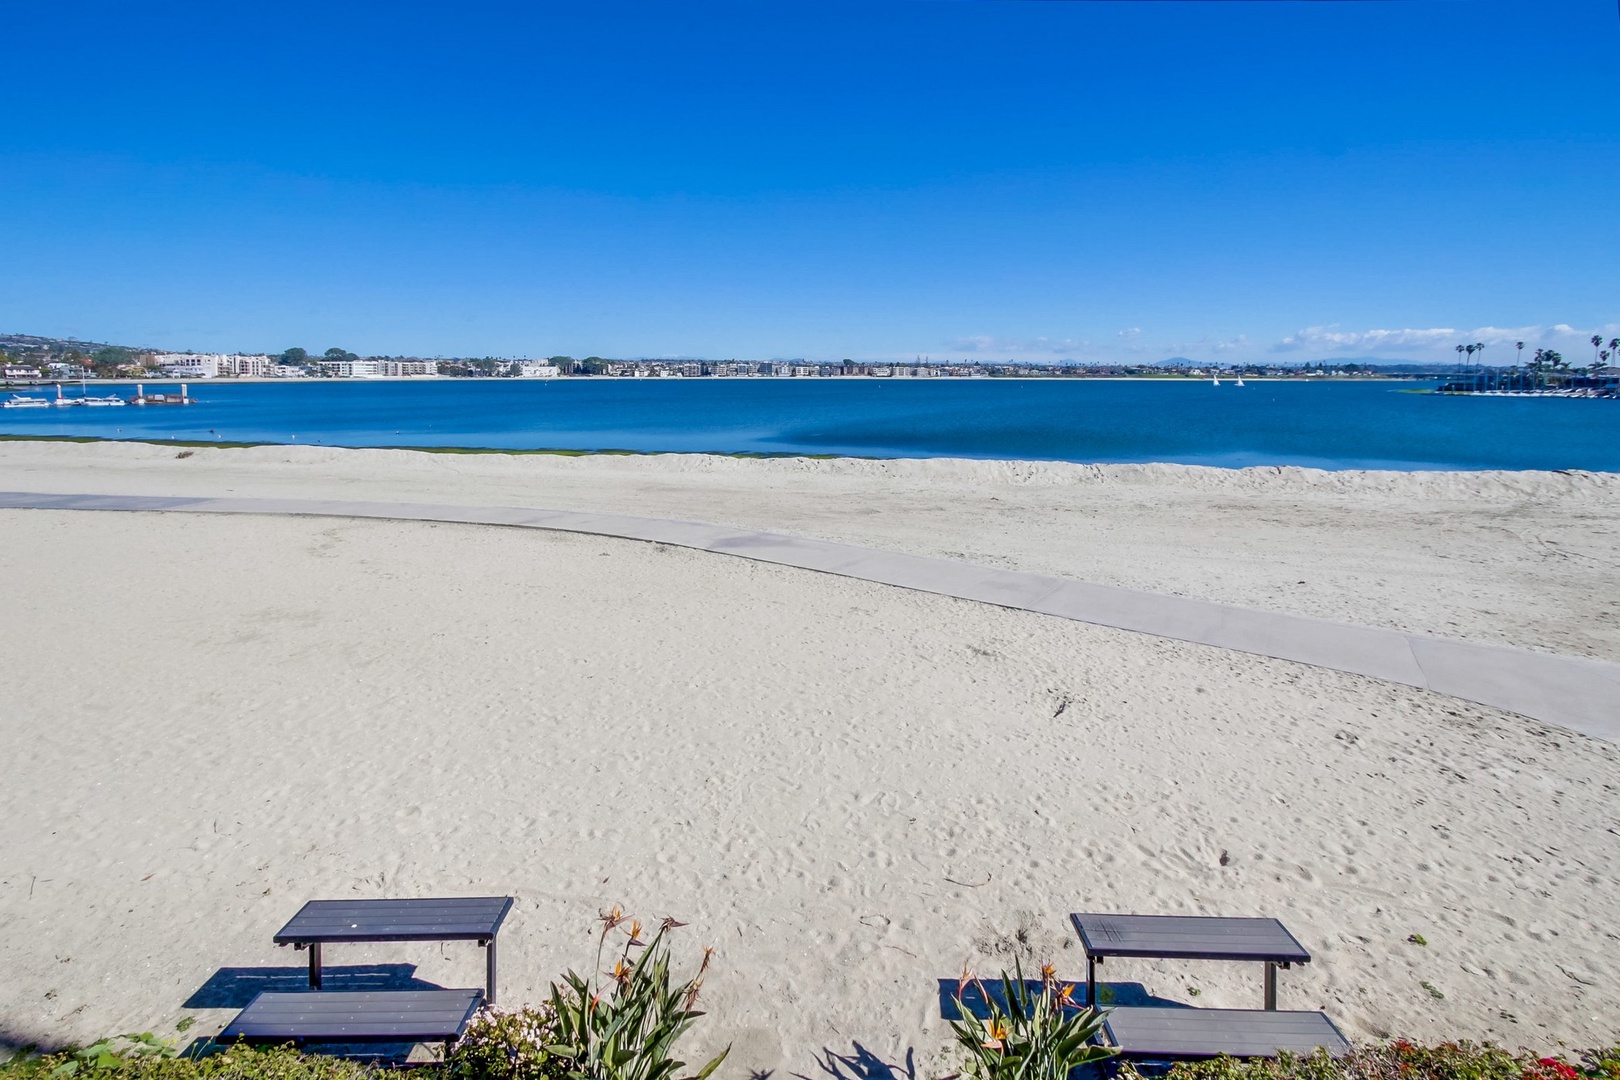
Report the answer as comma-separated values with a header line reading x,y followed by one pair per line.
x,y
1195,1034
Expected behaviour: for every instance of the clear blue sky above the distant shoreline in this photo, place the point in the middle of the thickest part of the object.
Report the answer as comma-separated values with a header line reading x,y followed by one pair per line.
x,y
770,179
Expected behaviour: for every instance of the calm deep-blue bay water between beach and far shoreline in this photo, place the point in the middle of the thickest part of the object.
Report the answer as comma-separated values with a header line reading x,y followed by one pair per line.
x,y
1328,425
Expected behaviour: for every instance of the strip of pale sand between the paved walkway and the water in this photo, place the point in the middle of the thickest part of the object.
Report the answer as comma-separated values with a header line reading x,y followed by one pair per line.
x,y
1527,559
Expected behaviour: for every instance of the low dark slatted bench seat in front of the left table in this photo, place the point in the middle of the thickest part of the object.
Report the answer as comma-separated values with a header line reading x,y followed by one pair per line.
x,y
394,1016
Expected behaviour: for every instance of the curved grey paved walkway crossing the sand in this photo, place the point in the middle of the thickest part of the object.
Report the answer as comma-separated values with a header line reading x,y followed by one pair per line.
x,y
1577,694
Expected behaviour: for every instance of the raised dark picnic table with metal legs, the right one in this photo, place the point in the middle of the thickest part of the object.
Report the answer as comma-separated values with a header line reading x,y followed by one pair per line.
x,y
1188,938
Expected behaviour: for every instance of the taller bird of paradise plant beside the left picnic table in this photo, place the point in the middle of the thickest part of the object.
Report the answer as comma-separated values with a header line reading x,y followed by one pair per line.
x,y
628,1027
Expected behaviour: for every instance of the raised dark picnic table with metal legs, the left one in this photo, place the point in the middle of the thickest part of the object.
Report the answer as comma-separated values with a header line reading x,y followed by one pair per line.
x,y
459,919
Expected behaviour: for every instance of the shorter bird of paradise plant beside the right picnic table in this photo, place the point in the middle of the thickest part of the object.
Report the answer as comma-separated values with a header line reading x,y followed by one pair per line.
x,y
1026,1037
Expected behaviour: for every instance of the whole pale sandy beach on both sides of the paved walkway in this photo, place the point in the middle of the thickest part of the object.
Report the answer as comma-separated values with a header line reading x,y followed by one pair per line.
x,y
850,791
